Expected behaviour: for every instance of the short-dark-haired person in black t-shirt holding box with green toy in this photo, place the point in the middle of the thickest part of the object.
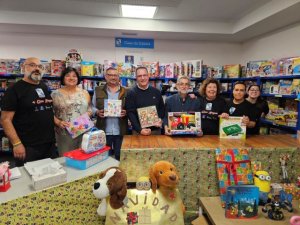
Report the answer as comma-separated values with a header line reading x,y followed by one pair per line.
x,y
239,106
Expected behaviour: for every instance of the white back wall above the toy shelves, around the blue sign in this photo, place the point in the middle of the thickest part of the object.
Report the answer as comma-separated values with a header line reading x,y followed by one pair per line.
x,y
99,49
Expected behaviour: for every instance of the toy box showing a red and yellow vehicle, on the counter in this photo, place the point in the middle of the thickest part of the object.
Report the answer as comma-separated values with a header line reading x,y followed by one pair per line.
x,y
184,123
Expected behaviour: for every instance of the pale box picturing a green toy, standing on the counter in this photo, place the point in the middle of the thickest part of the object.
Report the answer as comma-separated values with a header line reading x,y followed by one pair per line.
x,y
232,128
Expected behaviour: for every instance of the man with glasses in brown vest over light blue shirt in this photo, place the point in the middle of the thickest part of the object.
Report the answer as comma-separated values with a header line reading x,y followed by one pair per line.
x,y
114,127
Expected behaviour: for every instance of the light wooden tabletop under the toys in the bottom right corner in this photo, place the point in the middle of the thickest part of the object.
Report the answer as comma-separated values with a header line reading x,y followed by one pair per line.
x,y
216,214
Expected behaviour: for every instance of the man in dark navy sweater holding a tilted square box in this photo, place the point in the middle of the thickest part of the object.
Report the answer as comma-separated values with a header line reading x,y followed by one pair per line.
x,y
144,95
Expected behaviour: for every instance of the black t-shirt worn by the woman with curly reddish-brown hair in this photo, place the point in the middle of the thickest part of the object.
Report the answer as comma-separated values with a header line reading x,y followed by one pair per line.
x,y
210,110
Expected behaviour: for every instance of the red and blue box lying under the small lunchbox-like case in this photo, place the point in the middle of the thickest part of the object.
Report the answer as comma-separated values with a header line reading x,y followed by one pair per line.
x,y
81,160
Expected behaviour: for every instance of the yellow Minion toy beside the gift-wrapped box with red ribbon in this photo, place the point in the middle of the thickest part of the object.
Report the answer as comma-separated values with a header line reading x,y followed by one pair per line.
x,y
262,180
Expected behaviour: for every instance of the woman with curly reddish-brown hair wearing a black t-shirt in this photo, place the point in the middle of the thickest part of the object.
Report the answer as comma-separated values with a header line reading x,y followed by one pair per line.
x,y
211,106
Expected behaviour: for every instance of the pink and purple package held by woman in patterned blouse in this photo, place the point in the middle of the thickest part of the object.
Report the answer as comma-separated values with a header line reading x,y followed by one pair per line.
x,y
80,125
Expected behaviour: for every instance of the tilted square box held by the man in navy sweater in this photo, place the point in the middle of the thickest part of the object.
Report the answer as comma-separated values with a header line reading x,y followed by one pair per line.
x,y
148,116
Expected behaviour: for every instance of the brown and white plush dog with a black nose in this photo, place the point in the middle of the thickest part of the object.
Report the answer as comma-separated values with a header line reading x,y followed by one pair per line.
x,y
111,187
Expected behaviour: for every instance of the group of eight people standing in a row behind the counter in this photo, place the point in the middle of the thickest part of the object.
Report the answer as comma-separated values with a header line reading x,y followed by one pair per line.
x,y
35,121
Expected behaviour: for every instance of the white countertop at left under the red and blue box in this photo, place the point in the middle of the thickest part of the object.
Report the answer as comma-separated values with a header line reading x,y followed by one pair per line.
x,y
23,186
